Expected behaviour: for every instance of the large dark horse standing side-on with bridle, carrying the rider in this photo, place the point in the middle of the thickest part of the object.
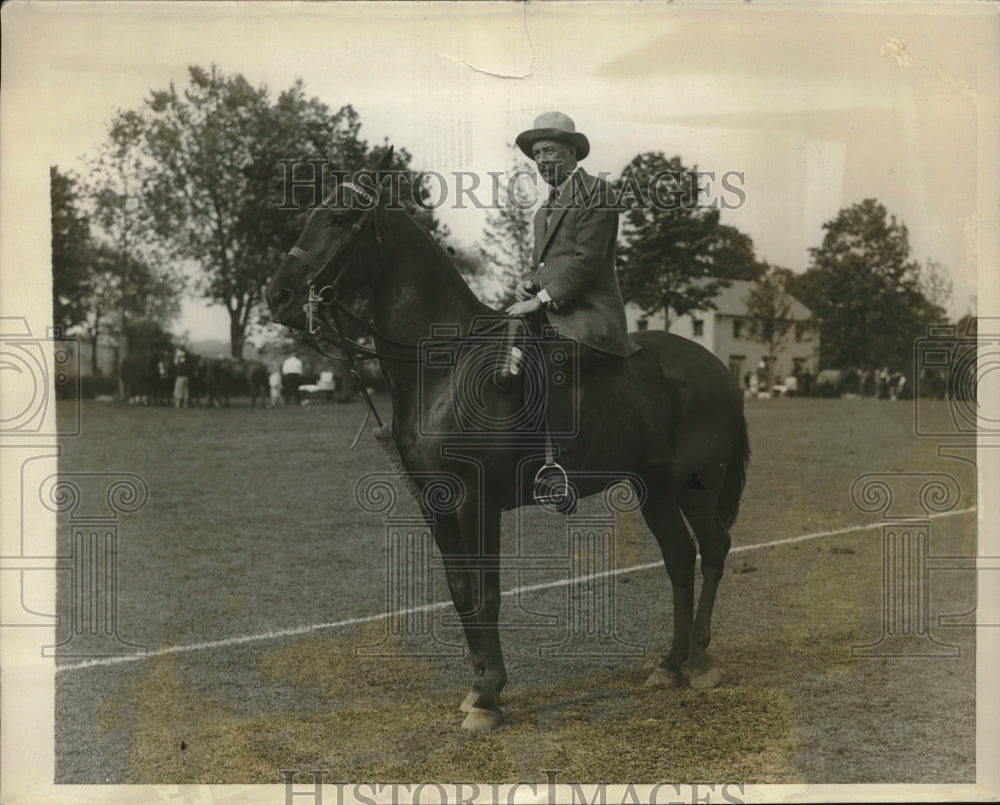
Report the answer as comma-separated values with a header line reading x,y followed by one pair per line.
x,y
670,416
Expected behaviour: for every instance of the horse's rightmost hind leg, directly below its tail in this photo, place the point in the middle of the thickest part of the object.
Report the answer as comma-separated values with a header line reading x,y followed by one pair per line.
x,y
701,510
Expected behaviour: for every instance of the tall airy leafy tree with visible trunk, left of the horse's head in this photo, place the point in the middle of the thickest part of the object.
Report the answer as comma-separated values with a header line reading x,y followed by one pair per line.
x,y
202,177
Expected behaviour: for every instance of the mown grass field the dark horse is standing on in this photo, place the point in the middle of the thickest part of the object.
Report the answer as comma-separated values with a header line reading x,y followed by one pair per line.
x,y
252,531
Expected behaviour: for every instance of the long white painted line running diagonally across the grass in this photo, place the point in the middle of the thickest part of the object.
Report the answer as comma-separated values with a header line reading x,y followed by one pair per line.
x,y
316,627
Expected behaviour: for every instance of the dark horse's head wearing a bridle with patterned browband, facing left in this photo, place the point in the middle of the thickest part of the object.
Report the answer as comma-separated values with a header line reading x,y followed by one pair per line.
x,y
326,258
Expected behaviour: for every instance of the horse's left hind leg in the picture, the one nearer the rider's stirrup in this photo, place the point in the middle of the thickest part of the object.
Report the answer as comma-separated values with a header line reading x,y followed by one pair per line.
x,y
663,516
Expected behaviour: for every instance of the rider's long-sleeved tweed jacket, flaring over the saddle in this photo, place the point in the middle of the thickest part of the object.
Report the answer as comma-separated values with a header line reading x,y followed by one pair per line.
x,y
574,261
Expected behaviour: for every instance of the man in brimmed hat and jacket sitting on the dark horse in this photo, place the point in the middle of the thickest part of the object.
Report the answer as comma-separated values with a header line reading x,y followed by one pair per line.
x,y
573,288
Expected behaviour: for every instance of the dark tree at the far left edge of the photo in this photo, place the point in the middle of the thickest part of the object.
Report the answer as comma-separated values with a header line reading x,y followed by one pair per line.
x,y
71,246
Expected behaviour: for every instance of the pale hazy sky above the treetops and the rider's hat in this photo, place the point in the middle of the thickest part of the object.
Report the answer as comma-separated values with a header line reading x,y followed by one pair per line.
x,y
819,107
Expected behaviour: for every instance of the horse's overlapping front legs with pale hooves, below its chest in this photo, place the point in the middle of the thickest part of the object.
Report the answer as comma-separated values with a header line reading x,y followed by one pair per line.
x,y
469,544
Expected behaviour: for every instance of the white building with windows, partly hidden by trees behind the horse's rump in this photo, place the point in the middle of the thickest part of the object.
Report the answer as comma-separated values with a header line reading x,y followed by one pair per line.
x,y
725,332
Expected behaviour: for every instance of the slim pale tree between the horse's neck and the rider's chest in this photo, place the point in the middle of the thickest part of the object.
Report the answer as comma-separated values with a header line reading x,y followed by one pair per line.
x,y
509,233
